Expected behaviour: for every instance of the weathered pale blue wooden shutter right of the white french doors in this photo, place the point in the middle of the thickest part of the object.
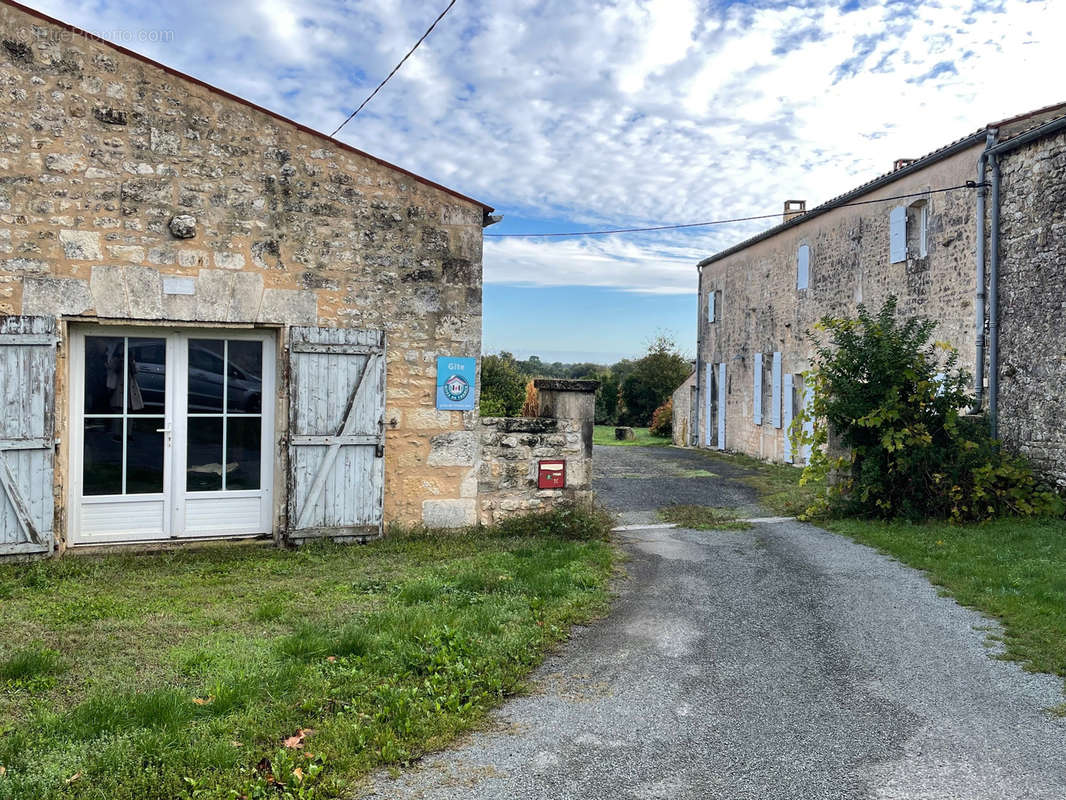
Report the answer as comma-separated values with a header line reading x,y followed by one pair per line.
x,y
336,433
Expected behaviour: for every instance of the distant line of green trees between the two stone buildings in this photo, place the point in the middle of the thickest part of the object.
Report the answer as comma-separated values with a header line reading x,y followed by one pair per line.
x,y
629,393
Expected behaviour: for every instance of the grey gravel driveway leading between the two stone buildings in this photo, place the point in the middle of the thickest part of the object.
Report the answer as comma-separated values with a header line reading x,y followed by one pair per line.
x,y
779,663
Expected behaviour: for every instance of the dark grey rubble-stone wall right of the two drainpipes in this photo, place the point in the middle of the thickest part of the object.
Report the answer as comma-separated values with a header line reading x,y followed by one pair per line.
x,y
1032,402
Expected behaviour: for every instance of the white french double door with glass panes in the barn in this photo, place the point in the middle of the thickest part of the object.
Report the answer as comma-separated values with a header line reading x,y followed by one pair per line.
x,y
171,434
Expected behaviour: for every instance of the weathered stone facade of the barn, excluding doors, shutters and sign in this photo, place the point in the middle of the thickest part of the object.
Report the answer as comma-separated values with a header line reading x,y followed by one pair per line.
x,y
119,177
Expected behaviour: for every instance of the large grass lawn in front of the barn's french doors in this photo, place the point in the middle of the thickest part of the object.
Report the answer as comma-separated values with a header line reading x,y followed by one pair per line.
x,y
243,671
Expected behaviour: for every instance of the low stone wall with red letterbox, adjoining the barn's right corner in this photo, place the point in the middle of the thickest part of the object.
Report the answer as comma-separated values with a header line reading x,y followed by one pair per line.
x,y
511,449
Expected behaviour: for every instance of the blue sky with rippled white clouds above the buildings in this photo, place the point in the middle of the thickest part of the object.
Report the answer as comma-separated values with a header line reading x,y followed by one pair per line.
x,y
609,114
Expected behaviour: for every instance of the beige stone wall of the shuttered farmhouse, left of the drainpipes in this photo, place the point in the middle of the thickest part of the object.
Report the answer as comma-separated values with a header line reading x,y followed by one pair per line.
x,y
761,310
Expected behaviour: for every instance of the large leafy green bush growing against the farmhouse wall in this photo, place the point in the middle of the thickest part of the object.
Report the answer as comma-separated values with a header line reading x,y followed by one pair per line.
x,y
893,398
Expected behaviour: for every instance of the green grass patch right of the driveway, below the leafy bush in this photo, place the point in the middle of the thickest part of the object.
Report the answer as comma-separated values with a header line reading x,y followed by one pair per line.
x,y
1014,570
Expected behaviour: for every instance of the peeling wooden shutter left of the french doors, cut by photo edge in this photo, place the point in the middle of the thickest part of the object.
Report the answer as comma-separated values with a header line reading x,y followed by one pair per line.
x,y
27,431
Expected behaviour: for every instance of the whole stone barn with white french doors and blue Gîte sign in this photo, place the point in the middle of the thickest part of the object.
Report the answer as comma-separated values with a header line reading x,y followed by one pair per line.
x,y
215,322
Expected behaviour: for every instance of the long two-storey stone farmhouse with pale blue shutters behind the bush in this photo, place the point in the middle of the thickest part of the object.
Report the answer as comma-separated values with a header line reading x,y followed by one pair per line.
x,y
973,235
